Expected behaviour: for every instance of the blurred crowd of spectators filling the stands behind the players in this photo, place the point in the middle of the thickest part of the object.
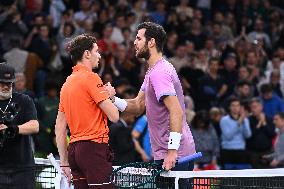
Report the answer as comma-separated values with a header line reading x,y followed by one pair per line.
x,y
229,55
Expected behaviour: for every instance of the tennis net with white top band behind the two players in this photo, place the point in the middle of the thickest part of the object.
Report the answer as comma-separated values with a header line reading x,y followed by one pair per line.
x,y
213,179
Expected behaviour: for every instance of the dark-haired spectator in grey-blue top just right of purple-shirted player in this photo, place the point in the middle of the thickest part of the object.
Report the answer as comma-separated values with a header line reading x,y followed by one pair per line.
x,y
206,140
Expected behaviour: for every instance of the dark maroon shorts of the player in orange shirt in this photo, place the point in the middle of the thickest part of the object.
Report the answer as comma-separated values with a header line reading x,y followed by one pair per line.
x,y
91,164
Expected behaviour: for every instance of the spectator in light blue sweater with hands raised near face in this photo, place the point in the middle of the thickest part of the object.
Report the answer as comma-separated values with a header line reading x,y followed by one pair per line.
x,y
235,130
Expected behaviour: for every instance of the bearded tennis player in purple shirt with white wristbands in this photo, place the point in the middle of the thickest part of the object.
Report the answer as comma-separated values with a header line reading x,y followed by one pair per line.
x,y
162,95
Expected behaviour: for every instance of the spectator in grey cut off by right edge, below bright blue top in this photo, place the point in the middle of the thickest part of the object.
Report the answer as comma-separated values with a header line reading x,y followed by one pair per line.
x,y
277,158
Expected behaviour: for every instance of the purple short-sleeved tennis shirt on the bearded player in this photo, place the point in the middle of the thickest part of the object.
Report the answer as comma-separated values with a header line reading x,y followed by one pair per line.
x,y
162,80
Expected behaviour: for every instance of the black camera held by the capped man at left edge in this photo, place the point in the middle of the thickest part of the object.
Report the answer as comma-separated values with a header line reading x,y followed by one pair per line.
x,y
7,117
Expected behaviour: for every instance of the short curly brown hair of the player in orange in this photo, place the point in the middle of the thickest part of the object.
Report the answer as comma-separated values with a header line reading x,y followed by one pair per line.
x,y
78,45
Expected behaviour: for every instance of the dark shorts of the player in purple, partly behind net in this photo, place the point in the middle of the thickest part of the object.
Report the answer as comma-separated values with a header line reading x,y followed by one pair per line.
x,y
169,183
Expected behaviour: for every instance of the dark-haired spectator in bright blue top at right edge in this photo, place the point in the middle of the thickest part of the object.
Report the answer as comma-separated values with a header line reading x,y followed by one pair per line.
x,y
272,103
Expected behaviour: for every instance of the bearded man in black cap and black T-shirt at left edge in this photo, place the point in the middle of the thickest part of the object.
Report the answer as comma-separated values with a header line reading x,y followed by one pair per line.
x,y
18,119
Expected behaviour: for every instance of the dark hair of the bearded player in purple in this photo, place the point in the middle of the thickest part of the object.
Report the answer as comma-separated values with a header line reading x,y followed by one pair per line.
x,y
155,31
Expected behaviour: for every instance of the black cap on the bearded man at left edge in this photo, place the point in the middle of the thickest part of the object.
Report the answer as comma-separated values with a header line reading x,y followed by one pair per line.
x,y
7,73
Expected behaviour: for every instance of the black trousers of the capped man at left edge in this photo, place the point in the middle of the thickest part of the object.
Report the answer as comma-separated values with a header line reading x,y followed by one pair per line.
x,y
16,179
